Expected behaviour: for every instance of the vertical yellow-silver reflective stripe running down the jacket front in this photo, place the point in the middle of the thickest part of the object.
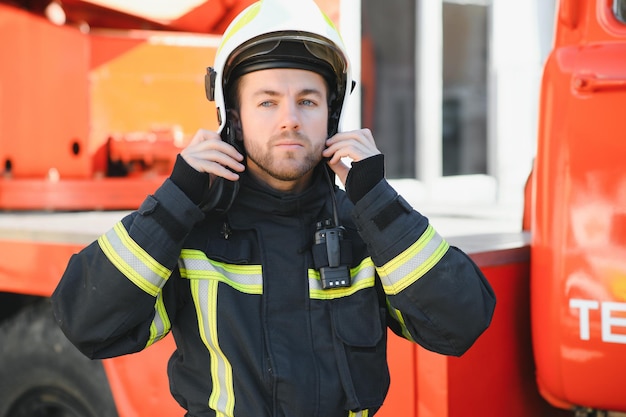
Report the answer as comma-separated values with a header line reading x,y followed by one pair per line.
x,y
222,399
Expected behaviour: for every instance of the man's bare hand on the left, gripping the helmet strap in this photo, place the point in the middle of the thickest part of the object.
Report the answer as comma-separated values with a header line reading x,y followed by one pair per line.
x,y
207,152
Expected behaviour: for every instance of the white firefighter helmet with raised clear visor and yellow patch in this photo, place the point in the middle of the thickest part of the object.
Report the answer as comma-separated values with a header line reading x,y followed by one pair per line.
x,y
281,34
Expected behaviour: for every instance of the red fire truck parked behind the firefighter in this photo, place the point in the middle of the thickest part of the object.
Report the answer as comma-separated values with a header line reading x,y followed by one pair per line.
x,y
93,110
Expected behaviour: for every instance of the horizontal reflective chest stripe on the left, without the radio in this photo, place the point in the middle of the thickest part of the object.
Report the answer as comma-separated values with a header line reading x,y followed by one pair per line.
x,y
195,265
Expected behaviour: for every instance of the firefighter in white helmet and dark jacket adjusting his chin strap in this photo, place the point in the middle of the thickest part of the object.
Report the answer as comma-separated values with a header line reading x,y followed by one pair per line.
x,y
277,285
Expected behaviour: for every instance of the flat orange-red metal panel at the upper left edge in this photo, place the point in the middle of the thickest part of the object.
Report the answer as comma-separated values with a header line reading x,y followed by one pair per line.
x,y
43,96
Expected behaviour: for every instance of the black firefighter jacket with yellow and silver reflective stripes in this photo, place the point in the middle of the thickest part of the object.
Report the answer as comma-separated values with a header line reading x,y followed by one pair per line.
x,y
256,335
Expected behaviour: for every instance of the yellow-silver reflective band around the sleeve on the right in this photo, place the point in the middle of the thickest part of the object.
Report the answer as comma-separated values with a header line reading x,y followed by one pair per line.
x,y
414,262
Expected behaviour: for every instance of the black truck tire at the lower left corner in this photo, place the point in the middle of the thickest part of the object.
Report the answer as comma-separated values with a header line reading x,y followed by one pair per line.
x,y
43,375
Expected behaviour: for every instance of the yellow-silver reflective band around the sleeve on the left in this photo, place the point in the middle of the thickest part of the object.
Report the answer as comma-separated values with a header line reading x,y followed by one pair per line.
x,y
133,261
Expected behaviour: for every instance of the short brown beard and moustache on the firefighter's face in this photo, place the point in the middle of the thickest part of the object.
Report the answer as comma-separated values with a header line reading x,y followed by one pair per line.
x,y
289,165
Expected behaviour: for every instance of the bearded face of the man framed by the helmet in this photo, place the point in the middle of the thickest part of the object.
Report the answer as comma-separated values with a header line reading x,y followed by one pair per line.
x,y
284,120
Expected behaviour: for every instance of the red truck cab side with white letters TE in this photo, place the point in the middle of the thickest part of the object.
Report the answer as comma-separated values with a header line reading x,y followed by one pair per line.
x,y
578,284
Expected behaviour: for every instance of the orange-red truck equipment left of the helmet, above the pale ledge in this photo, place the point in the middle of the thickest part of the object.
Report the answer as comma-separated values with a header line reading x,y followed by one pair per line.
x,y
94,120
